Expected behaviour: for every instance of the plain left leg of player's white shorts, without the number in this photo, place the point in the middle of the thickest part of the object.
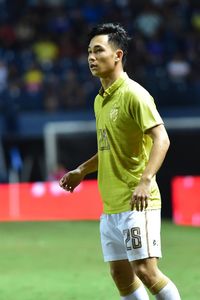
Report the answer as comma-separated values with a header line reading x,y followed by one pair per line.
x,y
111,239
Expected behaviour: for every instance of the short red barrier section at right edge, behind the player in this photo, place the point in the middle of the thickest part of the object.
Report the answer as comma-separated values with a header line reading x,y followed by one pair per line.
x,y
186,200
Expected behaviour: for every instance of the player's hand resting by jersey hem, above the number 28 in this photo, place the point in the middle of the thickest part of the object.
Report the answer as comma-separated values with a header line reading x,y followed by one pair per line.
x,y
140,196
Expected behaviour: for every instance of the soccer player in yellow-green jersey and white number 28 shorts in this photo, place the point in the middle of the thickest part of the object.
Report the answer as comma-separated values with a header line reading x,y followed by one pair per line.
x,y
132,144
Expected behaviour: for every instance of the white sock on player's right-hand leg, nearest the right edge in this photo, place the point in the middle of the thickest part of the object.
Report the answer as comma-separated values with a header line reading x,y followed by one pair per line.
x,y
169,292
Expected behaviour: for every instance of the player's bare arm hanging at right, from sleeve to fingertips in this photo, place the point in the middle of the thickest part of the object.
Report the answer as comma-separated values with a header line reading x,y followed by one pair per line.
x,y
159,149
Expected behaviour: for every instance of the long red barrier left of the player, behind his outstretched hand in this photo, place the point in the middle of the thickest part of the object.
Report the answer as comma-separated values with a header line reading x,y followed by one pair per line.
x,y
47,201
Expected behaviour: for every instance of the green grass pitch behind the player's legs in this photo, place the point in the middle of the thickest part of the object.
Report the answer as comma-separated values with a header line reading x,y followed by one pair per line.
x,y
63,261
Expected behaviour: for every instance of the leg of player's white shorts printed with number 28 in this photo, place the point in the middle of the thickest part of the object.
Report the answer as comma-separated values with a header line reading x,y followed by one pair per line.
x,y
141,231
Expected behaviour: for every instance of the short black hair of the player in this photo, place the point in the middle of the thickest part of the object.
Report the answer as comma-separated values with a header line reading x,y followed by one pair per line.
x,y
116,35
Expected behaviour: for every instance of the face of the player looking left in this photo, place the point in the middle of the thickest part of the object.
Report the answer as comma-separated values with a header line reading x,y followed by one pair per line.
x,y
101,56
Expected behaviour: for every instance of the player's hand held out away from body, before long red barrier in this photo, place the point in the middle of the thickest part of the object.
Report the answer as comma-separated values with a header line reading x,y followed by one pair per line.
x,y
70,180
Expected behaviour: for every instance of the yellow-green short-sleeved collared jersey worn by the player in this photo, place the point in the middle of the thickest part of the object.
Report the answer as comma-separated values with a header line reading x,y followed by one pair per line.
x,y
123,113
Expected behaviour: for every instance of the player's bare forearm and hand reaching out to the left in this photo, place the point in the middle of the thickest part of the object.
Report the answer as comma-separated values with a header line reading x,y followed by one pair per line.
x,y
73,178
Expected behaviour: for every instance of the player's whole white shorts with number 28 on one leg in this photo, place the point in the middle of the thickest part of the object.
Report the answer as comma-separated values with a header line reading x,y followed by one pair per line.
x,y
131,235
